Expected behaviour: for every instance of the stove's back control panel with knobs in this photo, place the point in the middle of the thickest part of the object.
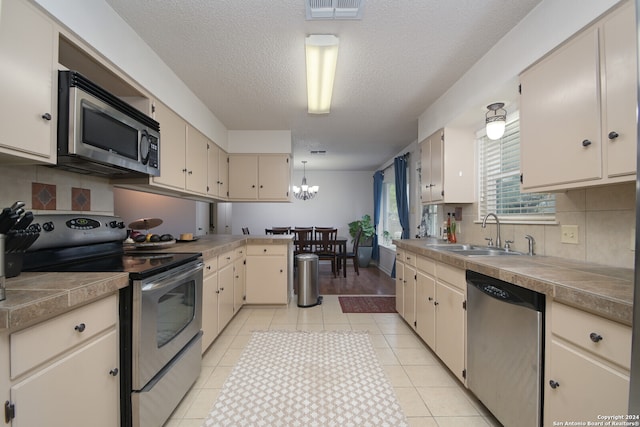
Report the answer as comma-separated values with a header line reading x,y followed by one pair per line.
x,y
64,230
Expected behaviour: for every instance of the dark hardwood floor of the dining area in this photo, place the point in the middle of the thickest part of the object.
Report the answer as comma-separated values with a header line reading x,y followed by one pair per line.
x,y
371,281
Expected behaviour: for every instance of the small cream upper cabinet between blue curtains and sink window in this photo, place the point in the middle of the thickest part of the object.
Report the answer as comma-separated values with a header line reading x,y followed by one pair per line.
x,y
448,167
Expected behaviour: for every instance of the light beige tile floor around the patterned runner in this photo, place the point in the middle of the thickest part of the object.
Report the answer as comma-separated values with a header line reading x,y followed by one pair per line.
x,y
429,394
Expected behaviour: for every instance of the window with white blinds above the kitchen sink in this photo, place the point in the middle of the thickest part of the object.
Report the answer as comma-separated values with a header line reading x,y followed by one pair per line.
x,y
499,192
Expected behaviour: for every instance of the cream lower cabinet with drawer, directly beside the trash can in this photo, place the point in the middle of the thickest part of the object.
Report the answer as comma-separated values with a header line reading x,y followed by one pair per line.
x,y
267,274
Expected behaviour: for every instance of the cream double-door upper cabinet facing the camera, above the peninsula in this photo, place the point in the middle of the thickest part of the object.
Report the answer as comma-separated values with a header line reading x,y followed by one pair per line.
x,y
259,177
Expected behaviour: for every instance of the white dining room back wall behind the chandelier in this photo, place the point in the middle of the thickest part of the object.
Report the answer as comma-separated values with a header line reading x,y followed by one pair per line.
x,y
343,197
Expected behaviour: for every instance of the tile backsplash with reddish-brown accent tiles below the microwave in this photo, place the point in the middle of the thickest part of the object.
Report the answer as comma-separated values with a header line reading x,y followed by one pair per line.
x,y
47,190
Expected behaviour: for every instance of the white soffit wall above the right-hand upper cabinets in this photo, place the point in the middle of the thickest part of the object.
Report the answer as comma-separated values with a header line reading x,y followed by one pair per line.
x,y
494,78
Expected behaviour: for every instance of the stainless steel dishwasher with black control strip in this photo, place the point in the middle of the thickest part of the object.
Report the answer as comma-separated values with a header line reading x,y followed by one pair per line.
x,y
505,342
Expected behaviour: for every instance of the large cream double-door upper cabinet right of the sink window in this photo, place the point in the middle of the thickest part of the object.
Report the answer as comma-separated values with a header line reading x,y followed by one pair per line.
x,y
577,109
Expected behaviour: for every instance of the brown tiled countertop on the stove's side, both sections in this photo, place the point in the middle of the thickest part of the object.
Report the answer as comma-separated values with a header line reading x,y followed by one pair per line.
x,y
34,297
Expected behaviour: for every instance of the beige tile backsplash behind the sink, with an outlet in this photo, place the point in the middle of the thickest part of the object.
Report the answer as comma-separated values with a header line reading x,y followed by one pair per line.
x,y
605,217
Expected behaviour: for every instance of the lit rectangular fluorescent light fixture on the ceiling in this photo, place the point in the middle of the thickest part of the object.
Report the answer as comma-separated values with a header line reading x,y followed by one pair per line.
x,y
322,57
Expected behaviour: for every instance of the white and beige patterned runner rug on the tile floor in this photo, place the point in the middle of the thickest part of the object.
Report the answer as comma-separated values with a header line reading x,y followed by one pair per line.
x,y
300,378
